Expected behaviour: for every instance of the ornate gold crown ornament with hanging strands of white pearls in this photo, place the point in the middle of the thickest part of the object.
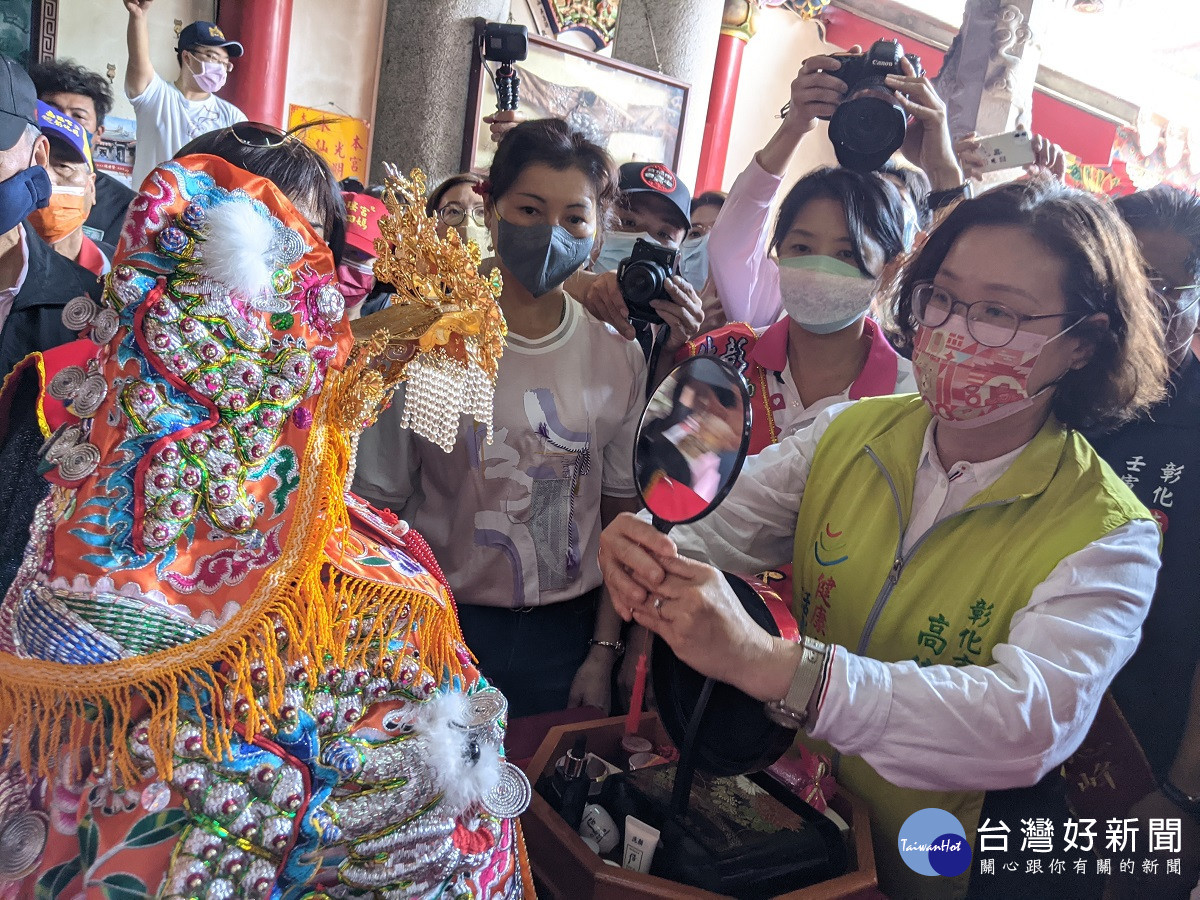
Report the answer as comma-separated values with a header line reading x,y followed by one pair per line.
x,y
443,332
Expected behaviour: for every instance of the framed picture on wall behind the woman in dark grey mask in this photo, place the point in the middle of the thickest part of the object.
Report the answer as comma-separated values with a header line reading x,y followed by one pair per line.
x,y
632,112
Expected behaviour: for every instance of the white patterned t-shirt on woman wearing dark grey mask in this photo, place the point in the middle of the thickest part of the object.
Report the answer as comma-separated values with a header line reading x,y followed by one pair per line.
x,y
517,523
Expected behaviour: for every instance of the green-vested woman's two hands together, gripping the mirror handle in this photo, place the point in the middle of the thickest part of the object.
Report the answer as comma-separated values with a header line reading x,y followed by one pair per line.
x,y
692,607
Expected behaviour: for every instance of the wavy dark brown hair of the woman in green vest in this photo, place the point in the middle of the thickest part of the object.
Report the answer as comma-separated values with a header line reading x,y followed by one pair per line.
x,y
1127,371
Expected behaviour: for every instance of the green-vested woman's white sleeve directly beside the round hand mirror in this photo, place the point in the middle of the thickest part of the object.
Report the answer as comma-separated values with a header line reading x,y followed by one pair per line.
x,y
755,526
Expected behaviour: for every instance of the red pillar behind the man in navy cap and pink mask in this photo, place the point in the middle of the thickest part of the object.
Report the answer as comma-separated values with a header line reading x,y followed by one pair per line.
x,y
261,76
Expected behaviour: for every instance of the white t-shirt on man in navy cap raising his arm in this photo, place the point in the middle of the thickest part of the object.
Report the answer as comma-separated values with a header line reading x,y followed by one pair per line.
x,y
167,122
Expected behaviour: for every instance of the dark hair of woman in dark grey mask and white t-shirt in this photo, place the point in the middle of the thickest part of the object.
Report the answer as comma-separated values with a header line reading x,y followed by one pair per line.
x,y
555,143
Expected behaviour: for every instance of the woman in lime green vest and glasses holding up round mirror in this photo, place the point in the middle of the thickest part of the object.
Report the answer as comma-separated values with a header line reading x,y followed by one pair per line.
x,y
969,574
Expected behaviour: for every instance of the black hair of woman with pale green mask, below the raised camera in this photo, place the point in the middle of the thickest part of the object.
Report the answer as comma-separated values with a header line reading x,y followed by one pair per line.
x,y
872,205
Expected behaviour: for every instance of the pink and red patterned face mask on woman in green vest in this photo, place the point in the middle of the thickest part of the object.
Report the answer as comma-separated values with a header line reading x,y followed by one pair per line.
x,y
968,385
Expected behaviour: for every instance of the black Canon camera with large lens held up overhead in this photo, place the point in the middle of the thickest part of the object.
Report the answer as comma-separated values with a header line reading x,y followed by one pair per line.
x,y
869,125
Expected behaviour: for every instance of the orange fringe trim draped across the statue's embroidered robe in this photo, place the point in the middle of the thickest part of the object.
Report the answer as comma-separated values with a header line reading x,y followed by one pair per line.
x,y
304,613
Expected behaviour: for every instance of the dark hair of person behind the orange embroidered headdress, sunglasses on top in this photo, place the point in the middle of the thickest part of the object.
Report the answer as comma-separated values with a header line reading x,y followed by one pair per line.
x,y
291,165
